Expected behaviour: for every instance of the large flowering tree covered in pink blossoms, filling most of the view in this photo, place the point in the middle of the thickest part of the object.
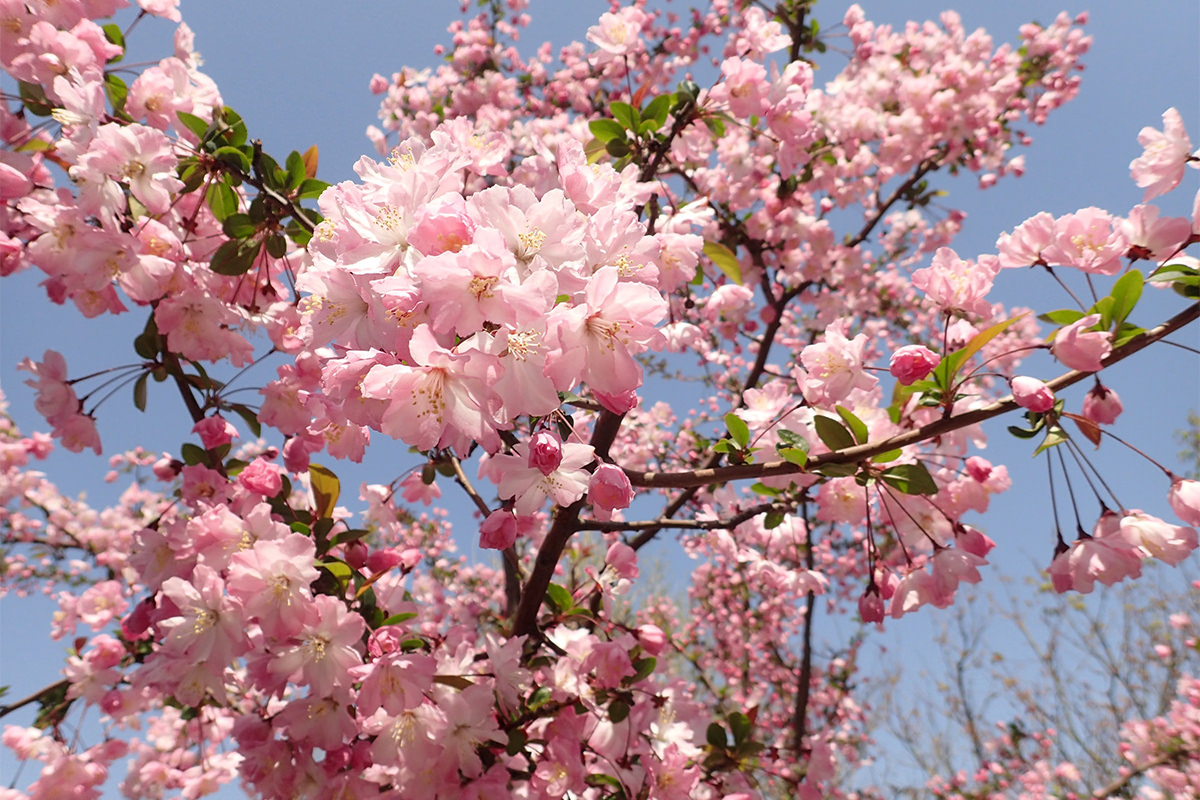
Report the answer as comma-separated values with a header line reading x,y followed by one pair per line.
x,y
547,254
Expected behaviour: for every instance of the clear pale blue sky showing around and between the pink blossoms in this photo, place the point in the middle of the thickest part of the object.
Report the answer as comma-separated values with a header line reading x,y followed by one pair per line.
x,y
298,74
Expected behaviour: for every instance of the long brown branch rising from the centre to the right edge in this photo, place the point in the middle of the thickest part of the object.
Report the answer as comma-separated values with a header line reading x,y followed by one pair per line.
x,y
947,425
